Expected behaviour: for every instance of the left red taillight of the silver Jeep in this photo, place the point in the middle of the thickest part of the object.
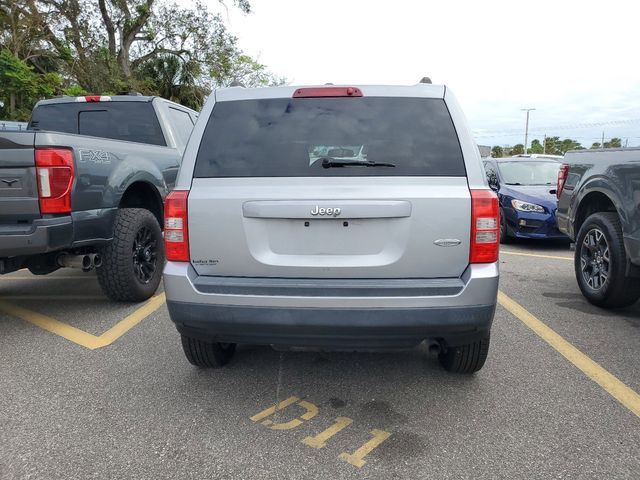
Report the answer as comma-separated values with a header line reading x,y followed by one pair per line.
x,y
176,234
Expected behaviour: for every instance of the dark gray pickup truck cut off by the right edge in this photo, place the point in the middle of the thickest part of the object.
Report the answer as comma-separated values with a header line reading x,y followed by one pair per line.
x,y
599,207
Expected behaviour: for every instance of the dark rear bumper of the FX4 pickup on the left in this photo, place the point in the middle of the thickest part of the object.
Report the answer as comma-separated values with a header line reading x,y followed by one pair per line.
x,y
42,236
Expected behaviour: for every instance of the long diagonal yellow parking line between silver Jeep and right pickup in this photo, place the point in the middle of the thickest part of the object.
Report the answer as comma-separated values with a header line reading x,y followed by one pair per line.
x,y
618,390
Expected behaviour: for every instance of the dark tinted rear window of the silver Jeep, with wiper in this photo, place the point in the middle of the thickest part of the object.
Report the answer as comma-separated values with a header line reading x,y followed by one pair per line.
x,y
287,137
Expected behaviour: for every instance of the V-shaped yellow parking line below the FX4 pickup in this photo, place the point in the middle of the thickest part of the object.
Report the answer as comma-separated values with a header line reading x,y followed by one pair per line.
x,y
81,337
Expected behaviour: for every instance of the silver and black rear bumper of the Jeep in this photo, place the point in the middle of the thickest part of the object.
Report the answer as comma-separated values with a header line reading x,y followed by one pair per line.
x,y
364,314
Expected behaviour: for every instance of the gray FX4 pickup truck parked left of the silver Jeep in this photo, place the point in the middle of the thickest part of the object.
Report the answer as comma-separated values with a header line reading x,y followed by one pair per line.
x,y
84,187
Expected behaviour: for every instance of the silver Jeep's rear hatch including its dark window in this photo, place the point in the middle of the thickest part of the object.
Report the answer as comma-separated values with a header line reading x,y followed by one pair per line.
x,y
339,187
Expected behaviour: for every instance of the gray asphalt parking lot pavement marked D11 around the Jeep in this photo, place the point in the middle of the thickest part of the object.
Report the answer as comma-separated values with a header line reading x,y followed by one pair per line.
x,y
134,407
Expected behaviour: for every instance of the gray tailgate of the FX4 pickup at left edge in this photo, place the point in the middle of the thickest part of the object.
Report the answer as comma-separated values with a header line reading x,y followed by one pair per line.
x,y
18,189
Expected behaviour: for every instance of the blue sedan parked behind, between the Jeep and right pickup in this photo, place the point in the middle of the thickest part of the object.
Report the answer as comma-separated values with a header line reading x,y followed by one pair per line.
x,y
526,188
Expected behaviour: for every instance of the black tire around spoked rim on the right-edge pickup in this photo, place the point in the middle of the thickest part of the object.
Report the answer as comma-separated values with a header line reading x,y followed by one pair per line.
x,y
619,290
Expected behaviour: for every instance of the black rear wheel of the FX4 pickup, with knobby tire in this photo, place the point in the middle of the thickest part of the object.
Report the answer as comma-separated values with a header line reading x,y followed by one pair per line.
x,y
132,263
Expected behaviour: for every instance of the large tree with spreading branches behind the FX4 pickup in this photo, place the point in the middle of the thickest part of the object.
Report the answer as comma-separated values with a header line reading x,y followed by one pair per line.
x,y
112,46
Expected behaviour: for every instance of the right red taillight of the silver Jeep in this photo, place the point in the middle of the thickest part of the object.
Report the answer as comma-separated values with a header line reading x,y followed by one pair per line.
x,y
485,227
